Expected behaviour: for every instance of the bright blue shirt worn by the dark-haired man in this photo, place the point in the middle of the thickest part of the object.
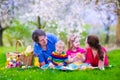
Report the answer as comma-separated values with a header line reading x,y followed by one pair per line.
x,y
44,54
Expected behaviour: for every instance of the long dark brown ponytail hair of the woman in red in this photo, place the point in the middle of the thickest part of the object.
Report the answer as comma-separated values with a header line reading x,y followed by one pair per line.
x,y
93,42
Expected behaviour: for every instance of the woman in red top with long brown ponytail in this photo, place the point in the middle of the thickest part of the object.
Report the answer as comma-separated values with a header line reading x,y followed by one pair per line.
x,y
96,54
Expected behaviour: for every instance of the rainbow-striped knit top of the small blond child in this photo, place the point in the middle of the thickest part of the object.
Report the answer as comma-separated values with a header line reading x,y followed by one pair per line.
x,y
56,58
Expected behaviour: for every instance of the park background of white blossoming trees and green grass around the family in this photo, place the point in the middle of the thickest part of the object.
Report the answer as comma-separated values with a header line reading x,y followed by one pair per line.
x,y
19,18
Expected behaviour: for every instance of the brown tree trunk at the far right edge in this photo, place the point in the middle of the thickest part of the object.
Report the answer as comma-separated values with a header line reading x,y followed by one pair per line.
x,y
118,32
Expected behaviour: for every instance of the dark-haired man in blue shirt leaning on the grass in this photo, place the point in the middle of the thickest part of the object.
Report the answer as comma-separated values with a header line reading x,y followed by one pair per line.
x,y
44,45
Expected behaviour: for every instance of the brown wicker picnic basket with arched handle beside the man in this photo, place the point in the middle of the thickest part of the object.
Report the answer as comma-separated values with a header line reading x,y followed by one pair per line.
x,y
26,60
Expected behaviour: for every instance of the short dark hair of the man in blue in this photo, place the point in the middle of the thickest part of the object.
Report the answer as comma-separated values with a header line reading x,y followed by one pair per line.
x,y
37,33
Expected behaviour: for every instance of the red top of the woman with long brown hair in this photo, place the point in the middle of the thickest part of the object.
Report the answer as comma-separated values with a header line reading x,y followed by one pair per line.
x,y
94,60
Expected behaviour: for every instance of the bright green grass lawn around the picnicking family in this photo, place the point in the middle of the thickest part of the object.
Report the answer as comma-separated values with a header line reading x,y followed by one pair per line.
x,y
33,73
